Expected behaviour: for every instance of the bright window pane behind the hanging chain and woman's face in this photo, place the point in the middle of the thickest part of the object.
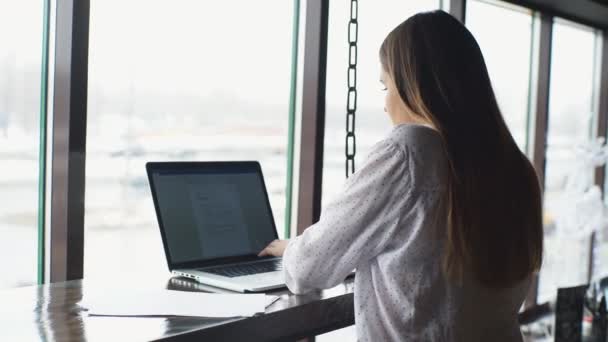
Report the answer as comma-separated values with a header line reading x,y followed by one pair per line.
x,y
376,19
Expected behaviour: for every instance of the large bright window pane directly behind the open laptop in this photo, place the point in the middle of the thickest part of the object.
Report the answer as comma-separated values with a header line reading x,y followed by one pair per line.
x,y
193,80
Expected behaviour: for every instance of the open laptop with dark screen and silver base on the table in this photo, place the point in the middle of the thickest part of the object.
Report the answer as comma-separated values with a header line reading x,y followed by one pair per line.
x,y
214,219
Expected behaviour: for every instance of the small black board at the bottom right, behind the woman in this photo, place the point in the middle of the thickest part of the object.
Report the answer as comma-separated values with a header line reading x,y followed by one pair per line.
x,y
569,314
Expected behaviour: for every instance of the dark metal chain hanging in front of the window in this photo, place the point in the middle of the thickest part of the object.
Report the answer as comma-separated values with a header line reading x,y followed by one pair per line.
x,y
351,100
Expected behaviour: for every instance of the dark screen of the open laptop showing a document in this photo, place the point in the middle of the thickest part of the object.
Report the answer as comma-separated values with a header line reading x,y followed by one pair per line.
x,y
211,211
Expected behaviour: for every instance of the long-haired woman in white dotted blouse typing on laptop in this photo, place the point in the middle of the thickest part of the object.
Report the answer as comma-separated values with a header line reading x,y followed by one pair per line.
x,y
443,222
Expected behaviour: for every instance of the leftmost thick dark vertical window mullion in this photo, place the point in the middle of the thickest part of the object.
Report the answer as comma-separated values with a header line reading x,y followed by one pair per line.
x,y
69,140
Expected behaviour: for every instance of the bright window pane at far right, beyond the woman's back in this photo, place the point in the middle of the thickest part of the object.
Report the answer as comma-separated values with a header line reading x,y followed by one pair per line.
x,y
570,125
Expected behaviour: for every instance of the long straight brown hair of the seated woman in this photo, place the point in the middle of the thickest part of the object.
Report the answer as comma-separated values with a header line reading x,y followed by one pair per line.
x,y
494,198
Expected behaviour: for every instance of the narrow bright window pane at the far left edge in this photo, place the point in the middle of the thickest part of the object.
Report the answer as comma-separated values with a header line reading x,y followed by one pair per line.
x,y
20,70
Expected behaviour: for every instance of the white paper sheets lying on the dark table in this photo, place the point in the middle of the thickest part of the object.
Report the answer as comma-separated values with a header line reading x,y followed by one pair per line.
x,y
175,303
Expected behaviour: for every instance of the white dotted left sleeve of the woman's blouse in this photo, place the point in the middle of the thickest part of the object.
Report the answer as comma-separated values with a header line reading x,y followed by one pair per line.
x,y
354,227
